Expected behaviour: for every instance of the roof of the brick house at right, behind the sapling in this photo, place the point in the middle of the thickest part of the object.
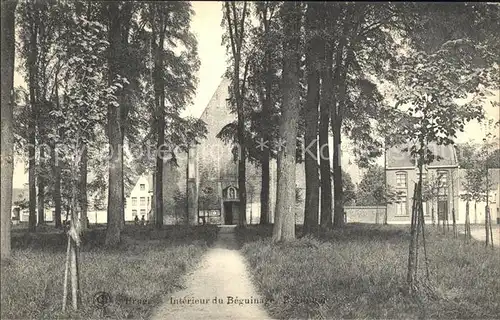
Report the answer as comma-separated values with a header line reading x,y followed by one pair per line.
x,y
445,156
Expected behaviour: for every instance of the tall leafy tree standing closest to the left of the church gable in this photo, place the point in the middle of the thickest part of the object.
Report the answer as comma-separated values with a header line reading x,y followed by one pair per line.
x,y
173,64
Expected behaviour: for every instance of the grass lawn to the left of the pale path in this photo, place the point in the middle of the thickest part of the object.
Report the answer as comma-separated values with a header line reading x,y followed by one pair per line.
x,y
147,266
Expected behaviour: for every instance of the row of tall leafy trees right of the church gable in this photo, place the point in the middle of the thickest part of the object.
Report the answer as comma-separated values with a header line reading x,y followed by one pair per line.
x,y
381,74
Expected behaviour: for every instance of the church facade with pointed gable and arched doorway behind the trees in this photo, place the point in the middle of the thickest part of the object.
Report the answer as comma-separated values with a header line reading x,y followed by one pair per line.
x,y
203,187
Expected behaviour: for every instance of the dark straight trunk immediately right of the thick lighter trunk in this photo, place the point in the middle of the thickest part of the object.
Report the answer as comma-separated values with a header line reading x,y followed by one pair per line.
x,y
313,60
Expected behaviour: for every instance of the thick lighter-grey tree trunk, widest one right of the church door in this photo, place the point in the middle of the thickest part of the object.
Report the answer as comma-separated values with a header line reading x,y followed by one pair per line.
x,y
289,121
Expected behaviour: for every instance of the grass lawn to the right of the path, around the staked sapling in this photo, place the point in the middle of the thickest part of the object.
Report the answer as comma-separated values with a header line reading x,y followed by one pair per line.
x,y
359,272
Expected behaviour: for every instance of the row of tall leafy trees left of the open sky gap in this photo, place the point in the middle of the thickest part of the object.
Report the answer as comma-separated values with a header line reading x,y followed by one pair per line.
x,y
98,74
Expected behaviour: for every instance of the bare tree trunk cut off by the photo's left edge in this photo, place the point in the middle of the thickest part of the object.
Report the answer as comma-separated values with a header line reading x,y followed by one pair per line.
x,y
7,126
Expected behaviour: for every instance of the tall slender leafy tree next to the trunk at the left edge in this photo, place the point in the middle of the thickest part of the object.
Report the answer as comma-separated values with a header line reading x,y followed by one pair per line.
x,y
40,24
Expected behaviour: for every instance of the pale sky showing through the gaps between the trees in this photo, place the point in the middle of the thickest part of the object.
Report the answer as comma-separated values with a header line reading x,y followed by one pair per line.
x,y
205,25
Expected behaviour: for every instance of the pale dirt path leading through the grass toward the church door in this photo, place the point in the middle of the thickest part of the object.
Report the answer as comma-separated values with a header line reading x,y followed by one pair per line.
x,y
214,290
